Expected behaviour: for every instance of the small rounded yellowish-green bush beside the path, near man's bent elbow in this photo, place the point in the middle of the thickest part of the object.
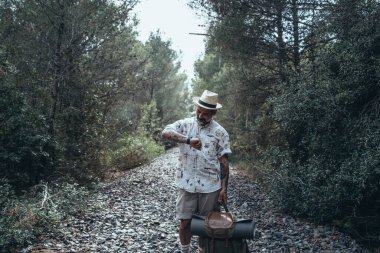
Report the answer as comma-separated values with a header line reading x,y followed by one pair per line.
x,y
132,150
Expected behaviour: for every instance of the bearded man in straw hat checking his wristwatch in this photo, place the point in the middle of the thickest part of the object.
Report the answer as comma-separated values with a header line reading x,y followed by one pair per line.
x,y
203,168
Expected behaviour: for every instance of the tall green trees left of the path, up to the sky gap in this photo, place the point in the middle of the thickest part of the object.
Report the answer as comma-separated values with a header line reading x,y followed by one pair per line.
x,y
74,78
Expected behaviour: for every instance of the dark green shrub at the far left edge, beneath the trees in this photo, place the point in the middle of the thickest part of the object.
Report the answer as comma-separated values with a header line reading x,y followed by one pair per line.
x,y
24,142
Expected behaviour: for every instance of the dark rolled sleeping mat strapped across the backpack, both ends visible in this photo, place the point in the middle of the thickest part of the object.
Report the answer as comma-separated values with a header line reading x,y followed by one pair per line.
x,y
244,229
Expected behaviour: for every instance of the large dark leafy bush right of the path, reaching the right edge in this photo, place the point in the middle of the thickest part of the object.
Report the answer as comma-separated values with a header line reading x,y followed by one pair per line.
x,y
330,168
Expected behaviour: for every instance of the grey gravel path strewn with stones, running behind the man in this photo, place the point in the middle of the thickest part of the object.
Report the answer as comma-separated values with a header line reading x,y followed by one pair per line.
x,y
139,216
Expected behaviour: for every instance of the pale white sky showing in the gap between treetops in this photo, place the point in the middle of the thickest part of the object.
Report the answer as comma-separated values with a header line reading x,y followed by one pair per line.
x,y
176,21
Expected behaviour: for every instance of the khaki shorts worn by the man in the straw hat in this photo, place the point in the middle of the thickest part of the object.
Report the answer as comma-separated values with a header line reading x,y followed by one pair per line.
x,y
200,203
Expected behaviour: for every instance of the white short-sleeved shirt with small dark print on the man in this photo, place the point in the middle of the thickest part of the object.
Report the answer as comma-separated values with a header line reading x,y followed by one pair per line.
x,y
199,170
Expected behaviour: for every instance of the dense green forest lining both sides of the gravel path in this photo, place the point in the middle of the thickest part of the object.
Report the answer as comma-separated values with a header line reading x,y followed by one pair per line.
x,y
81,97
